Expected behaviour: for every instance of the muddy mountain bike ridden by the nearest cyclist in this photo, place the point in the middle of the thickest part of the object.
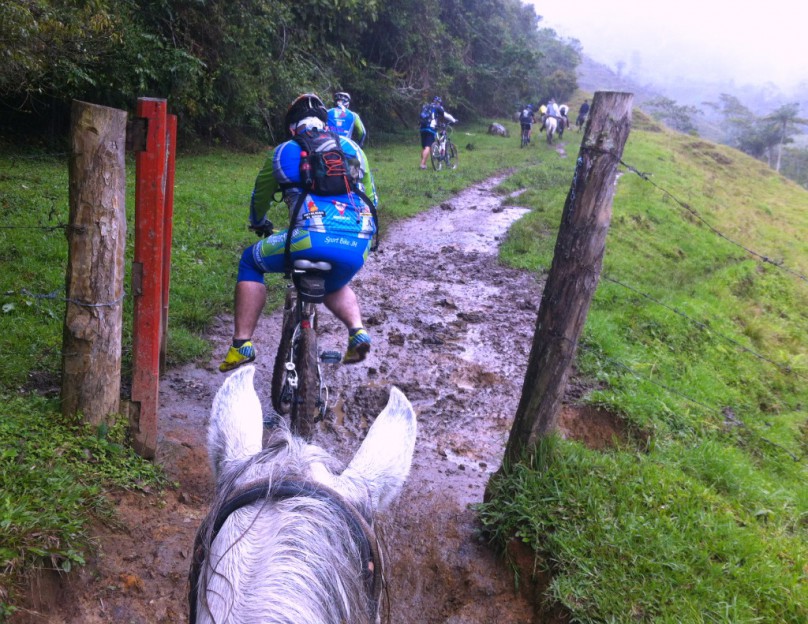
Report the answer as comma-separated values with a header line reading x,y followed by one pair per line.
x,y
297,380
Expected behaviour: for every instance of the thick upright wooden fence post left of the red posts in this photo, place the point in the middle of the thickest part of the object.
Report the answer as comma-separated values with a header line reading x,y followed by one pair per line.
x,y
91,344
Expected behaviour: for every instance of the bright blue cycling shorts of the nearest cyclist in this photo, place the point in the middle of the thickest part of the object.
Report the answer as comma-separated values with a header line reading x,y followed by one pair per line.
x,y
345,252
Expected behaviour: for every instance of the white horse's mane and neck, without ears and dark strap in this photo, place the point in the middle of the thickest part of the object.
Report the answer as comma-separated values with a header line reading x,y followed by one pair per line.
x,y
290,560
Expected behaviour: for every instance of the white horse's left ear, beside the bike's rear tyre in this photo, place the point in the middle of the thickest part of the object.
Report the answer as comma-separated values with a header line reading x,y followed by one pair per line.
x,y
235,428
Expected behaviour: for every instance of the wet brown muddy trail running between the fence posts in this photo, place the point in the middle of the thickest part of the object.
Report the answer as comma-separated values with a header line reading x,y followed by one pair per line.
x,y
452,328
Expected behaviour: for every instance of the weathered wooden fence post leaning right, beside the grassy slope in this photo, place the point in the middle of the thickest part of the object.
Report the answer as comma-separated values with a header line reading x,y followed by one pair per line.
x,y
575,270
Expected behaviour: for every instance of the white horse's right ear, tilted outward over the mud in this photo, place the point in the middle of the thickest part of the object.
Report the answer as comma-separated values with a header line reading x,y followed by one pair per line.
x,y
383,460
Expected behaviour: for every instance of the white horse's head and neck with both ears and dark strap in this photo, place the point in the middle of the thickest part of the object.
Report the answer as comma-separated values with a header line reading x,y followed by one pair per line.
x,y
290,537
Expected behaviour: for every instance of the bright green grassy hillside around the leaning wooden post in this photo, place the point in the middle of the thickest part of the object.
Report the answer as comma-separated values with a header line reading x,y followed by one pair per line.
x,y
702,350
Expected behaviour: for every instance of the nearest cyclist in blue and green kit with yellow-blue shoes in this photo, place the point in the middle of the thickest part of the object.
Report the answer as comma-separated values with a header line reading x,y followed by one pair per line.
x,y
337,228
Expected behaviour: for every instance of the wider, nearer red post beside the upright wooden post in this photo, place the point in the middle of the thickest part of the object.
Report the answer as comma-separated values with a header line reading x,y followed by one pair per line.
x,y
147,275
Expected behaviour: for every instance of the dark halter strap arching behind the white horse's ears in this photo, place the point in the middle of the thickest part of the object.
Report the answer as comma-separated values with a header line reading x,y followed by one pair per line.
x,y
362,533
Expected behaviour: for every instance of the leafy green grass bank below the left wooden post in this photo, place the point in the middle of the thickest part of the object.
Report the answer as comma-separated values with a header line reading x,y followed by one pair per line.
x,y
53,479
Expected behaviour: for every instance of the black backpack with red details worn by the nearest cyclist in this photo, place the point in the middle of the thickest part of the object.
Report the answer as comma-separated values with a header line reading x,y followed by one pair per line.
x,y
324,171
